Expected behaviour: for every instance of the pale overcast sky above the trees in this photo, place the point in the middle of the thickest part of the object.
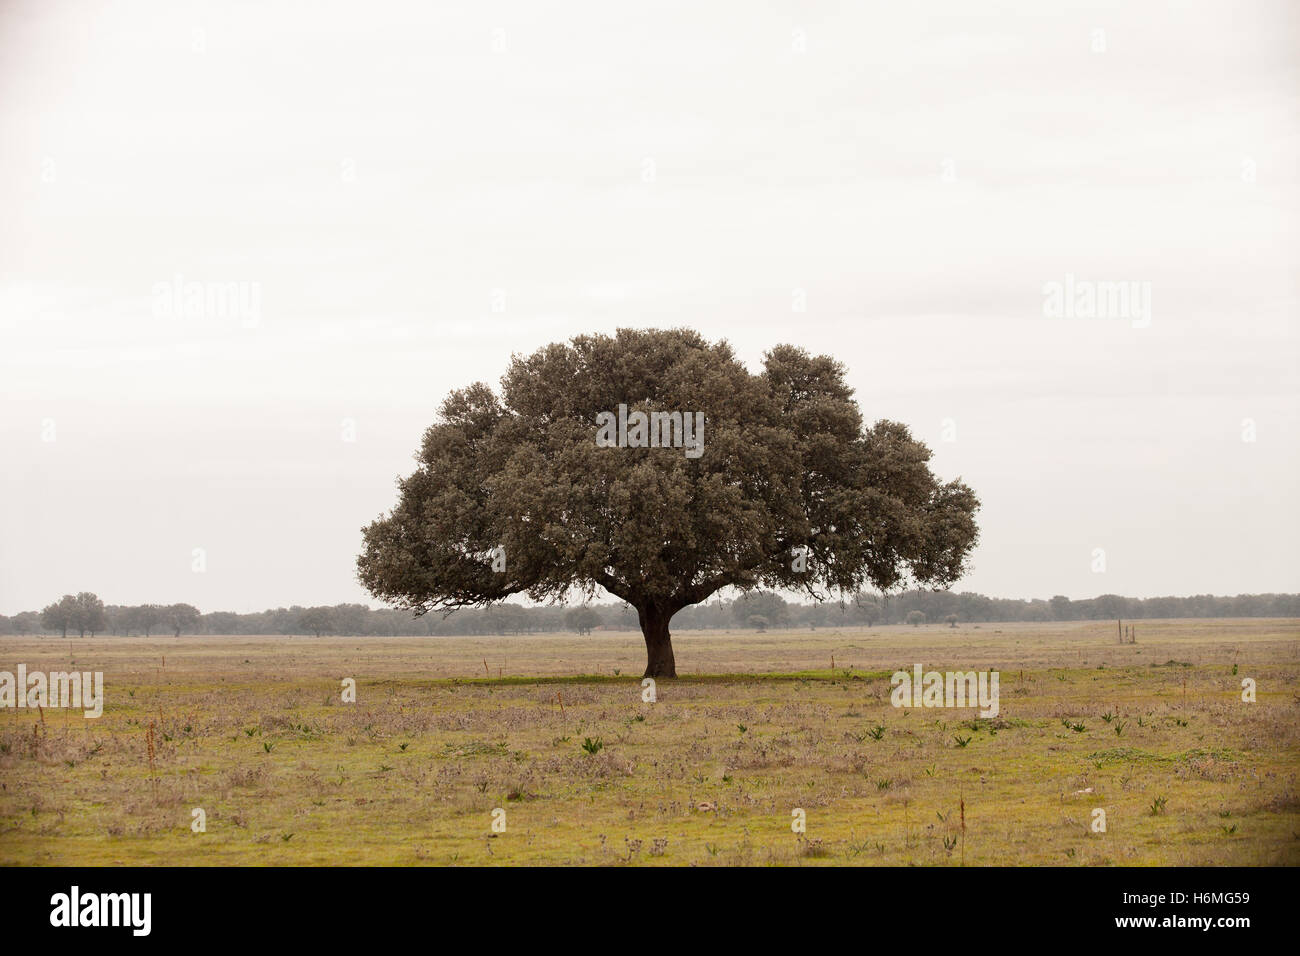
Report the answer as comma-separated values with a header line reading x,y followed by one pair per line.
x,y
410,193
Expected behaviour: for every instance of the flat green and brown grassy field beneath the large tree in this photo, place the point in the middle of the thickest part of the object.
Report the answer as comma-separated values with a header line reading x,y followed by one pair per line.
x,y
444,732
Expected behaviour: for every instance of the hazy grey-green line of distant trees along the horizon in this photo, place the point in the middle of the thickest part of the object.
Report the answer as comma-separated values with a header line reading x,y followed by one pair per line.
x,y
86,615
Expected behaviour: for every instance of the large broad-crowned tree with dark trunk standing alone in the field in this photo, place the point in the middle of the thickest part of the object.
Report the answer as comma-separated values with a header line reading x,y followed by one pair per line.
x,y
788,490
